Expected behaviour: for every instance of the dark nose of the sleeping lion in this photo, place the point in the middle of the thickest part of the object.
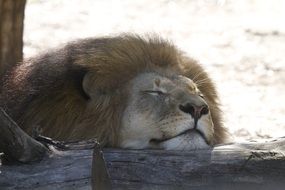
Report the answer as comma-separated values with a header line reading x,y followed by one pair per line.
x,y
195,111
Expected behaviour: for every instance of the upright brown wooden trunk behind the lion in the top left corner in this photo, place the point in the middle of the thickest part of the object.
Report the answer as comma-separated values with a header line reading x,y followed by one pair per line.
x,y
11,33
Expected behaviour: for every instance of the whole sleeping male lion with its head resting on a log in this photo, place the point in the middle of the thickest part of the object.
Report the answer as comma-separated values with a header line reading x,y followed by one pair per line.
x,y
127,91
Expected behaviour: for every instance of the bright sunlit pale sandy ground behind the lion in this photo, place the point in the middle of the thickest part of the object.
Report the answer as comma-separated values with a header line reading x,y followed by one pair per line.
x,y
241,43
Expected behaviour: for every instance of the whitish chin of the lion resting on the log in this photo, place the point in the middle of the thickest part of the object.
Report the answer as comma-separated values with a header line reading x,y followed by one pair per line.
x,y
189,141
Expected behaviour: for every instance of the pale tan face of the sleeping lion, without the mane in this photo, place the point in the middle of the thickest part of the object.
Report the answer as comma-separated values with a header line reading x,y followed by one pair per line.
x,y
165,112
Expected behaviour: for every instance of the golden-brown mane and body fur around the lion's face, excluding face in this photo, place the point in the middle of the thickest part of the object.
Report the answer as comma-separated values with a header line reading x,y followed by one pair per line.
x,y
54,90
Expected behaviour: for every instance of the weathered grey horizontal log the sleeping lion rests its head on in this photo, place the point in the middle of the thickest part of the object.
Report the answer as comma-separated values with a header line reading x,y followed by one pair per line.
x,y
250,165
